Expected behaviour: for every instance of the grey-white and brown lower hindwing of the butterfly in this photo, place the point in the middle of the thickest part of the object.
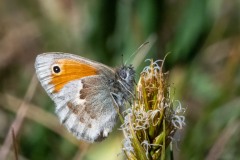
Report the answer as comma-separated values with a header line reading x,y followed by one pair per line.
x,y
90,115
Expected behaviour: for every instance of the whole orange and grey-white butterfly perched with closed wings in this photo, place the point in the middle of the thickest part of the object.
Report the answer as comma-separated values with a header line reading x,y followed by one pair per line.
x,y
85,92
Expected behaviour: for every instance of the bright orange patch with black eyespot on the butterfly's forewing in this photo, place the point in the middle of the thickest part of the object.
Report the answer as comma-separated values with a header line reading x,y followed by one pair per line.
x,y
65,71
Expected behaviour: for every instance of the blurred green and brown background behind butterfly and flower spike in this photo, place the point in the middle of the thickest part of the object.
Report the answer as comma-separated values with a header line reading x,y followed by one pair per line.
x,y
201,35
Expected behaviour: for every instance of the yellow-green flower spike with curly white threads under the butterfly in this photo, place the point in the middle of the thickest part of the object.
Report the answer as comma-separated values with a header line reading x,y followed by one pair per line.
x,y
154,117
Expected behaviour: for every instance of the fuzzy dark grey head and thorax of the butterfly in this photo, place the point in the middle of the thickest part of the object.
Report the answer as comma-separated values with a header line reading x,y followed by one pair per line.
x,y
123,84
